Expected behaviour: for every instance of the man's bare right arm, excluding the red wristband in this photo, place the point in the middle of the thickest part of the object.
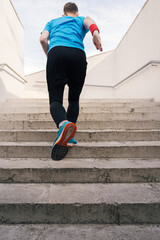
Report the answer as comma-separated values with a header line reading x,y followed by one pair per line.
x,y
96,38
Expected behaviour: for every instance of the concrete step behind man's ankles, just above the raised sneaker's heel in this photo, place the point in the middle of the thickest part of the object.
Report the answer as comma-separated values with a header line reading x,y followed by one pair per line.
x,y
83,116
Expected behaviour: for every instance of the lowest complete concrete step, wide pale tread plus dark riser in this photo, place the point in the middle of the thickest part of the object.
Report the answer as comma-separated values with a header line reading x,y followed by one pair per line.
x,y
114,203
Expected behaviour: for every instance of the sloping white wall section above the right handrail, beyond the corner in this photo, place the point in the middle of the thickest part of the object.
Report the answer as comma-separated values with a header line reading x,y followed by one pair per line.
x,y
141,43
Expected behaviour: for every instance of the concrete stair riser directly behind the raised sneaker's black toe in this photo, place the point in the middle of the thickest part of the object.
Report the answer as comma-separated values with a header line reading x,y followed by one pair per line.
x,y
82,152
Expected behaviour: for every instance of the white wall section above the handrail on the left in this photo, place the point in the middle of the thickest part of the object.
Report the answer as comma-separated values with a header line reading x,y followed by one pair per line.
x,y
12,37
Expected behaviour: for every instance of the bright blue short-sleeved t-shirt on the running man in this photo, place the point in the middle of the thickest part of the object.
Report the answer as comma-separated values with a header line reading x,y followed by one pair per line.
x,y
66,31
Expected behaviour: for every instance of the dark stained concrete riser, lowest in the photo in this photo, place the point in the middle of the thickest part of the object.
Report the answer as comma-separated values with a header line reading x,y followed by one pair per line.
x,y
125,213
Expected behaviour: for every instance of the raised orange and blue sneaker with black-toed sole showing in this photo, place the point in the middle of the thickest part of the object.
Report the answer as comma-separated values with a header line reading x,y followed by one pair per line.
x,y
64,135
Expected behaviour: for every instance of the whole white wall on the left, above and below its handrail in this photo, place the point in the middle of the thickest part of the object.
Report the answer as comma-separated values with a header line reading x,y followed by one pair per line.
x,y
11,51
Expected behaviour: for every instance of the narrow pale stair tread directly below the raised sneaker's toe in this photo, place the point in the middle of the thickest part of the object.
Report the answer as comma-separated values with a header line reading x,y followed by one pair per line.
x,y
25,163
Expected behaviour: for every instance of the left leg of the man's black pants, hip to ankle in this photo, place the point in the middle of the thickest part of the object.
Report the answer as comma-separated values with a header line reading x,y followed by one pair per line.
x,y
56,80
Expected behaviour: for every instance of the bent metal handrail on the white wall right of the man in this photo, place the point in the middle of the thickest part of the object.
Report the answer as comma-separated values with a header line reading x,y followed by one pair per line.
x,y
152,63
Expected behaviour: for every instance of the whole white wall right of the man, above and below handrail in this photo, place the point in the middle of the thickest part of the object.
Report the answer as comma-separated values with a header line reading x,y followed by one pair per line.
x,y
140,45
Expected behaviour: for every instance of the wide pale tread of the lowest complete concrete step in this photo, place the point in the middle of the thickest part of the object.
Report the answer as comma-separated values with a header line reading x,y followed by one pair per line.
x,y
46,193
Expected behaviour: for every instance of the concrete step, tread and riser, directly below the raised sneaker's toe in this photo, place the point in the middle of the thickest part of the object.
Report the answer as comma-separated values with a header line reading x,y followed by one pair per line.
x,y
79,170
